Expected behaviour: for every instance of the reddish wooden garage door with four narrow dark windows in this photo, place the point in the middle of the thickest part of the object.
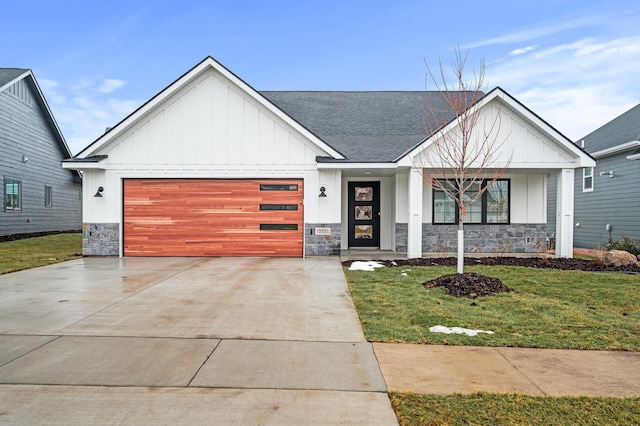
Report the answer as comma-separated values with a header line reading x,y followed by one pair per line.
x,y
204,217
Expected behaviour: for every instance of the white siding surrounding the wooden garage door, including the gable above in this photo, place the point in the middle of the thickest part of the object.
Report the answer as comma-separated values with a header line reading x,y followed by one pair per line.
x,y
207,129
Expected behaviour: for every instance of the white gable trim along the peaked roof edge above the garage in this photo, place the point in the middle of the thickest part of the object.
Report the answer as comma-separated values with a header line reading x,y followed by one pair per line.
x,y
206,65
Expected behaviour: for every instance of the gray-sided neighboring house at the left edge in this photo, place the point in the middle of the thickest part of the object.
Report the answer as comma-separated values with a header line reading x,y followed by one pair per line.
x,y
38,195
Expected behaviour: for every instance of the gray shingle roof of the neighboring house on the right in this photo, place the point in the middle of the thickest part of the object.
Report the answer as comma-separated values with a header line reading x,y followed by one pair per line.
x,y
624,128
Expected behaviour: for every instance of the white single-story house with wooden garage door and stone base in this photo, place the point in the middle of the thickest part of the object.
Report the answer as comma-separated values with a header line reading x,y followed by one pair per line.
x,y
212,167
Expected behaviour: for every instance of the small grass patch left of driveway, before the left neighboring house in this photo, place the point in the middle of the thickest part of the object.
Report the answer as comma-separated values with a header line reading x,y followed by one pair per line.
x,y
39,251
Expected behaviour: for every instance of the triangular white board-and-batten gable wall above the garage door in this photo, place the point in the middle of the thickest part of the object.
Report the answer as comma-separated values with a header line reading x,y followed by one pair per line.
x,y
211,123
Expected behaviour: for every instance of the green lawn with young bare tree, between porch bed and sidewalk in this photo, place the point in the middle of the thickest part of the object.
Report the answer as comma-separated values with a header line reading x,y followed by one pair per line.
x,y
547,309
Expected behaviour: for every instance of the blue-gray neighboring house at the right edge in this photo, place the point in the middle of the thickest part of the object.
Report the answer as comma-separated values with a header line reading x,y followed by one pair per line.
x,y
607,197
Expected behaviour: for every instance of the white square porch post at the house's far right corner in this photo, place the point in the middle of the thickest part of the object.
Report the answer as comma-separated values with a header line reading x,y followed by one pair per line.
x,y
564,214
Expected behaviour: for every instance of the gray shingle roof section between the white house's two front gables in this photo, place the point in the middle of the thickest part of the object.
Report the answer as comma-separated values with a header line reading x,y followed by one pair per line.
x,y
364,126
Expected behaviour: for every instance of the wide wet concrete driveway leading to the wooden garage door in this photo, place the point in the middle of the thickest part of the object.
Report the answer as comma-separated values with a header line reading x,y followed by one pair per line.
x,y
186,340
